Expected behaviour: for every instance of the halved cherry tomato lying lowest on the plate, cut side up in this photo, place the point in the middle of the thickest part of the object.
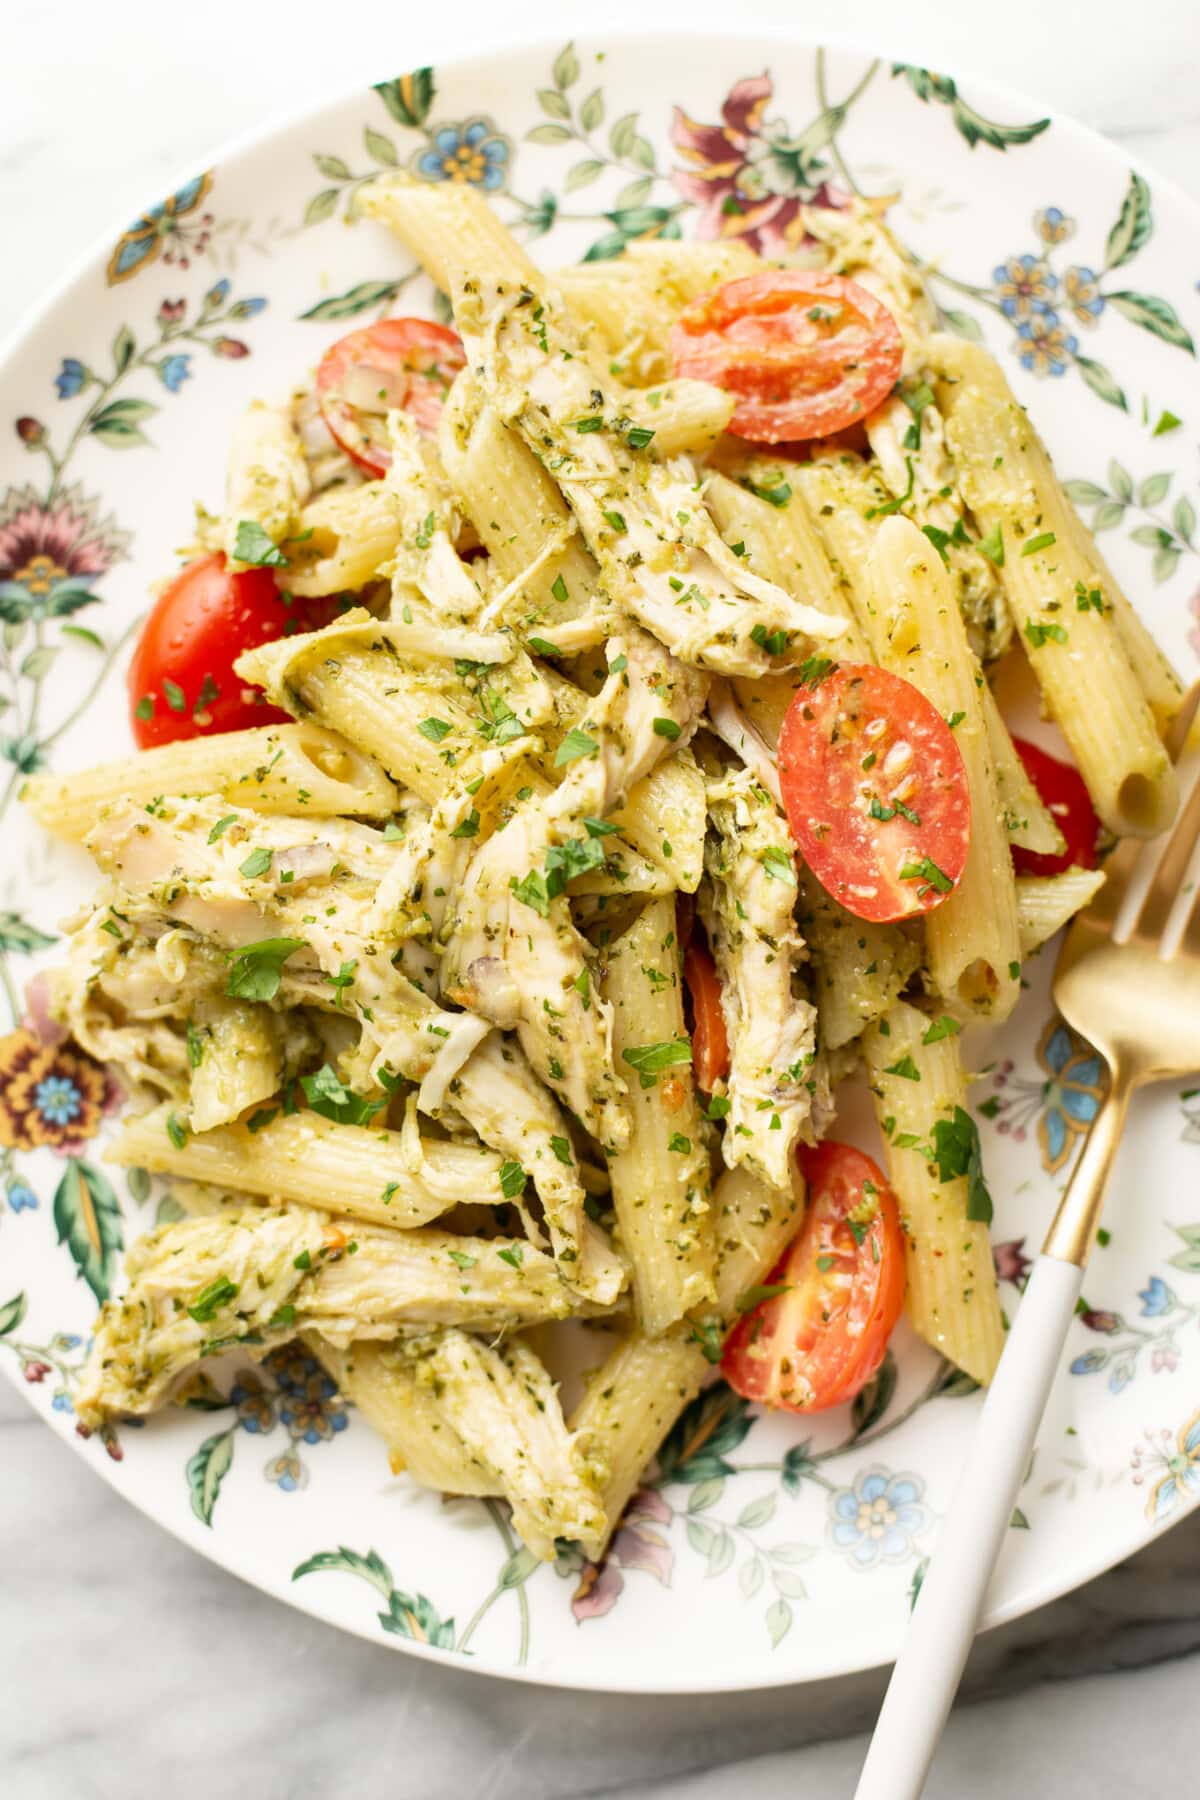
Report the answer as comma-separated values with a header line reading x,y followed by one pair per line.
x,y
821,1331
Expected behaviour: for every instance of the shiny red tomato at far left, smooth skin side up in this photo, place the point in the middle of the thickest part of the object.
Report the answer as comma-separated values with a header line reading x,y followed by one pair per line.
x,y
183,679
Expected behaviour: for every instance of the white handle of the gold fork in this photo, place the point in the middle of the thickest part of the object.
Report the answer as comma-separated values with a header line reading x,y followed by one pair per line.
x,y
944,1621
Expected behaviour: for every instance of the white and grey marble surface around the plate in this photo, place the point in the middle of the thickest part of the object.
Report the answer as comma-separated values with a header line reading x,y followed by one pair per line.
x,y
127,1664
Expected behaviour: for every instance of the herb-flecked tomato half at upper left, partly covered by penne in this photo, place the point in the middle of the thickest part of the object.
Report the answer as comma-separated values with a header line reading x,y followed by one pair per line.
x,y
397,364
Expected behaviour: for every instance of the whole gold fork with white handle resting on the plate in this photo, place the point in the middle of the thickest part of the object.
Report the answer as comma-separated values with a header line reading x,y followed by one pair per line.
x,y
1127,980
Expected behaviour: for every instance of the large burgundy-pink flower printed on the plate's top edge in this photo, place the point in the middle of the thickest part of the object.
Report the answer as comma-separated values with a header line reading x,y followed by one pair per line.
x,y
748,177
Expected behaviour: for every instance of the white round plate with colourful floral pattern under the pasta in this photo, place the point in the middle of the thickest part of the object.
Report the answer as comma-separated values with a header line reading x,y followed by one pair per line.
x,y
760,1551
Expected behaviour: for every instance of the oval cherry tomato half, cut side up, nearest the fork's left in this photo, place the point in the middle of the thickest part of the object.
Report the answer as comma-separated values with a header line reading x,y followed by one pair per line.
x,y
875,793
